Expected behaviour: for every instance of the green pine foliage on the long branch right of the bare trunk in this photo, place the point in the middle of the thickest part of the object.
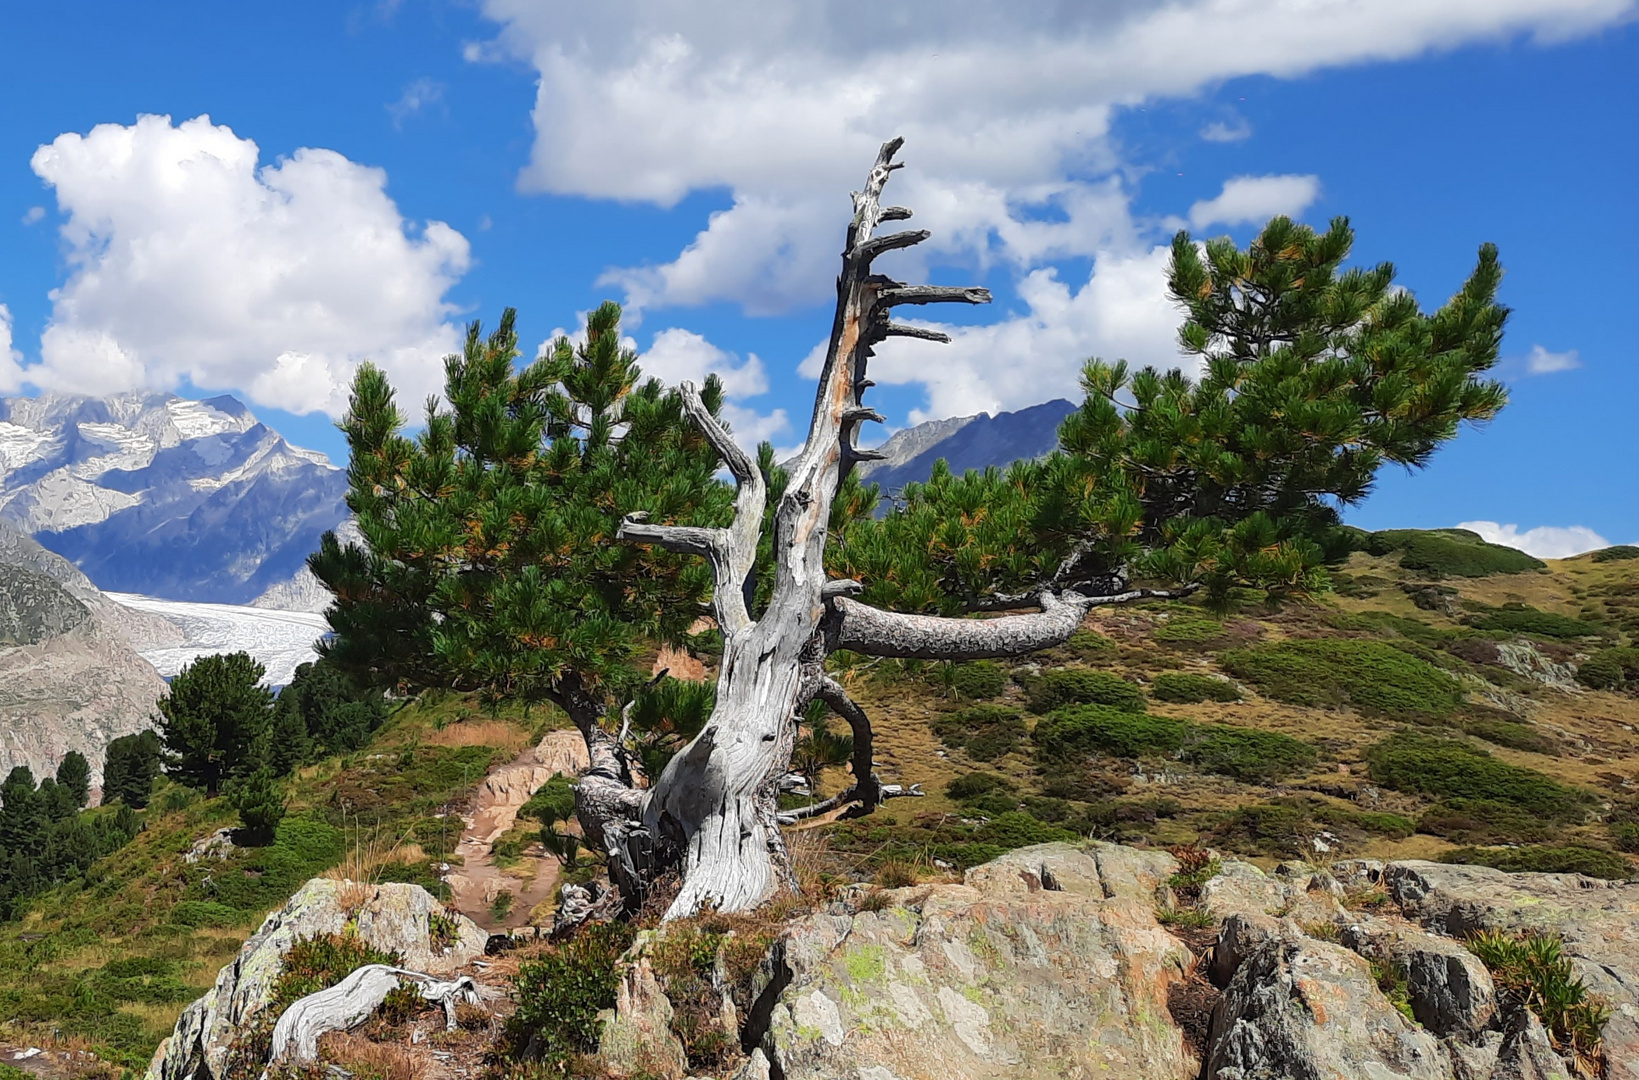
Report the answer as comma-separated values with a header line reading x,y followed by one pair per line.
x,y
1312,379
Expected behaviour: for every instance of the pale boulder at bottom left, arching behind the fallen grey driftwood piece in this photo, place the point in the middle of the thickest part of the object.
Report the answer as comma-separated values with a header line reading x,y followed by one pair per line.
x,y
394,919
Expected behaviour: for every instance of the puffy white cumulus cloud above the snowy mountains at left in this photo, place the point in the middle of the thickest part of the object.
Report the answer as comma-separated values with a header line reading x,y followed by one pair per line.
x,y
191,261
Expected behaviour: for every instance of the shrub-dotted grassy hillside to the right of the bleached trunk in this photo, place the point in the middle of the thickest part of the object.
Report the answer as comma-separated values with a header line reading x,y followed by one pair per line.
x,y
1428,709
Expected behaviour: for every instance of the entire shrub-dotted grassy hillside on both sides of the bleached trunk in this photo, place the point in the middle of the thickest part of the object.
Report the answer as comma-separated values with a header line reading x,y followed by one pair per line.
x,y
1428,709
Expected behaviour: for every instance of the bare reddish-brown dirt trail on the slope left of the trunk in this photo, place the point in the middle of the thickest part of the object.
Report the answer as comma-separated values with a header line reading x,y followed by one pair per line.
x,y
494,810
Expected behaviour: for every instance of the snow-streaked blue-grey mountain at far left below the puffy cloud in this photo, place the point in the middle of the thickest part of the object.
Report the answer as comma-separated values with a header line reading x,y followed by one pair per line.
x,y
166,497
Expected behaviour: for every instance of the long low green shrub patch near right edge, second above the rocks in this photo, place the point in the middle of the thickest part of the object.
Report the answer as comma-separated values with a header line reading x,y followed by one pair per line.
x,y
1451,769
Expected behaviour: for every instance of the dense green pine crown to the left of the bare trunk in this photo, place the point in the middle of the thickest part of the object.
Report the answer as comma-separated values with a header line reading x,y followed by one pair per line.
x,y
486,563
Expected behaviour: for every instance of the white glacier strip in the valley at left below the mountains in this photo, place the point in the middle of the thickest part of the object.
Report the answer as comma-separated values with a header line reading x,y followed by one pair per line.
x,y
278,640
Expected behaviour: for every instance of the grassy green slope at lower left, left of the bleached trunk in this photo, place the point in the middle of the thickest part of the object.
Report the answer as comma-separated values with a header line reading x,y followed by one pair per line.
x,y
111,961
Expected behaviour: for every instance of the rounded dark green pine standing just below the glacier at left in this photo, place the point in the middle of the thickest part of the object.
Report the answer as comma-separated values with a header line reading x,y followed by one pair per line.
x,y
214,720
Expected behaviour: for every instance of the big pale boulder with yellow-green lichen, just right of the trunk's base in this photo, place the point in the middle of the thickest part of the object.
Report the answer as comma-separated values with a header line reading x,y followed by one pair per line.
x,y
1047,963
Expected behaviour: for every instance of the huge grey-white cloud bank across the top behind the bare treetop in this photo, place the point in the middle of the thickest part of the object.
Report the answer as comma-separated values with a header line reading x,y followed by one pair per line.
x,y
1007,112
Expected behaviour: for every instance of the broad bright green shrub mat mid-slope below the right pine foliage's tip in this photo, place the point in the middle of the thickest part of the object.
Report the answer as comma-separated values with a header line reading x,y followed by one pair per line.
x,y
1371,676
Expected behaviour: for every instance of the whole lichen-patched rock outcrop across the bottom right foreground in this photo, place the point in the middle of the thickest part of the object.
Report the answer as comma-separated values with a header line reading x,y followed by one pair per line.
x,y
1051,963
